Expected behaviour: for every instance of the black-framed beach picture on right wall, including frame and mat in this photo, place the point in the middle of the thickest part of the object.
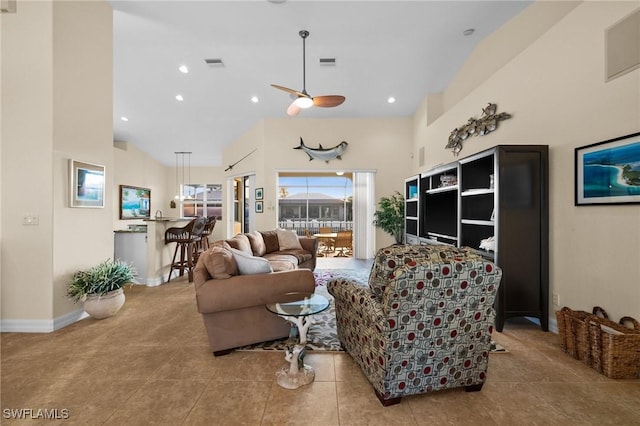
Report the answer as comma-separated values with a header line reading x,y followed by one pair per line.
x,y
608,172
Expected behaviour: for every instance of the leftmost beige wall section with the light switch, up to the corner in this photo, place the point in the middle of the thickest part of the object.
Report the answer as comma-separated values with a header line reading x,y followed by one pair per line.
x,y
27,96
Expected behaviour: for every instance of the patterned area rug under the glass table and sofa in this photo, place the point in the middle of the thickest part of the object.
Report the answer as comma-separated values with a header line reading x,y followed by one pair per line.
x,y
322,335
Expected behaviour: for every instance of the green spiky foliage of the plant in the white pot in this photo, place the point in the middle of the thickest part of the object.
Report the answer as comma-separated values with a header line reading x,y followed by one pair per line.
x,y
107,276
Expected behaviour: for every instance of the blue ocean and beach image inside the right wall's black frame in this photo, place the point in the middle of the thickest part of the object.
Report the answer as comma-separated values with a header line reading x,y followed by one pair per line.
x,y
612,172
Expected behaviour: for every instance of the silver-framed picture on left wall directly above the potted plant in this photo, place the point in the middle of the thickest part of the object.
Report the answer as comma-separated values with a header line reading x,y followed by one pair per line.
x,y
86,186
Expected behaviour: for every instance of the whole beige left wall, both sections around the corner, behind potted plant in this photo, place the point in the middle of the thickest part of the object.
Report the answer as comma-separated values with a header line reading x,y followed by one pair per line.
x,y
54,81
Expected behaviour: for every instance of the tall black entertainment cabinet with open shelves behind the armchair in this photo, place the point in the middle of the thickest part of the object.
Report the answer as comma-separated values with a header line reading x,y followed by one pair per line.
x,y
499,194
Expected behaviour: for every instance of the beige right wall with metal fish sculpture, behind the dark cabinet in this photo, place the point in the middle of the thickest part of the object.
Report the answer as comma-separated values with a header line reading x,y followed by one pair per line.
x,y
556,91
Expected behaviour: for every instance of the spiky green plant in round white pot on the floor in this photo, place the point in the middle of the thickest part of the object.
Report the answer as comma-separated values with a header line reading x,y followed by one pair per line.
x,y
101,287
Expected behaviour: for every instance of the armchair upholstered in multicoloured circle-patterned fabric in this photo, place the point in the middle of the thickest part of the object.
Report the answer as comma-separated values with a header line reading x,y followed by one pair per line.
x,y
424,321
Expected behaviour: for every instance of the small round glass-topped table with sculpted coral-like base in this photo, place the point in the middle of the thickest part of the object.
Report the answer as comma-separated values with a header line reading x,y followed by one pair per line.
x,y
297,308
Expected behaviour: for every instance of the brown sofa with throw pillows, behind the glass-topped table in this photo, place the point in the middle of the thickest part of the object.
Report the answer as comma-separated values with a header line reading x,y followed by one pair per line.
x,y
233,305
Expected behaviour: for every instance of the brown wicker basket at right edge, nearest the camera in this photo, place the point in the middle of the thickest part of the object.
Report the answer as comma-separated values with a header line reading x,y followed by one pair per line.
x,y
615,348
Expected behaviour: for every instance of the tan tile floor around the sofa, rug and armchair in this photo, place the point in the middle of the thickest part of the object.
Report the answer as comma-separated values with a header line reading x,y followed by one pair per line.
x,y
150,364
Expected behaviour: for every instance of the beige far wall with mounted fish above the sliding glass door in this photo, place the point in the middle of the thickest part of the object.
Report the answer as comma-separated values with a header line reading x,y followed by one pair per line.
x,y
382,145
